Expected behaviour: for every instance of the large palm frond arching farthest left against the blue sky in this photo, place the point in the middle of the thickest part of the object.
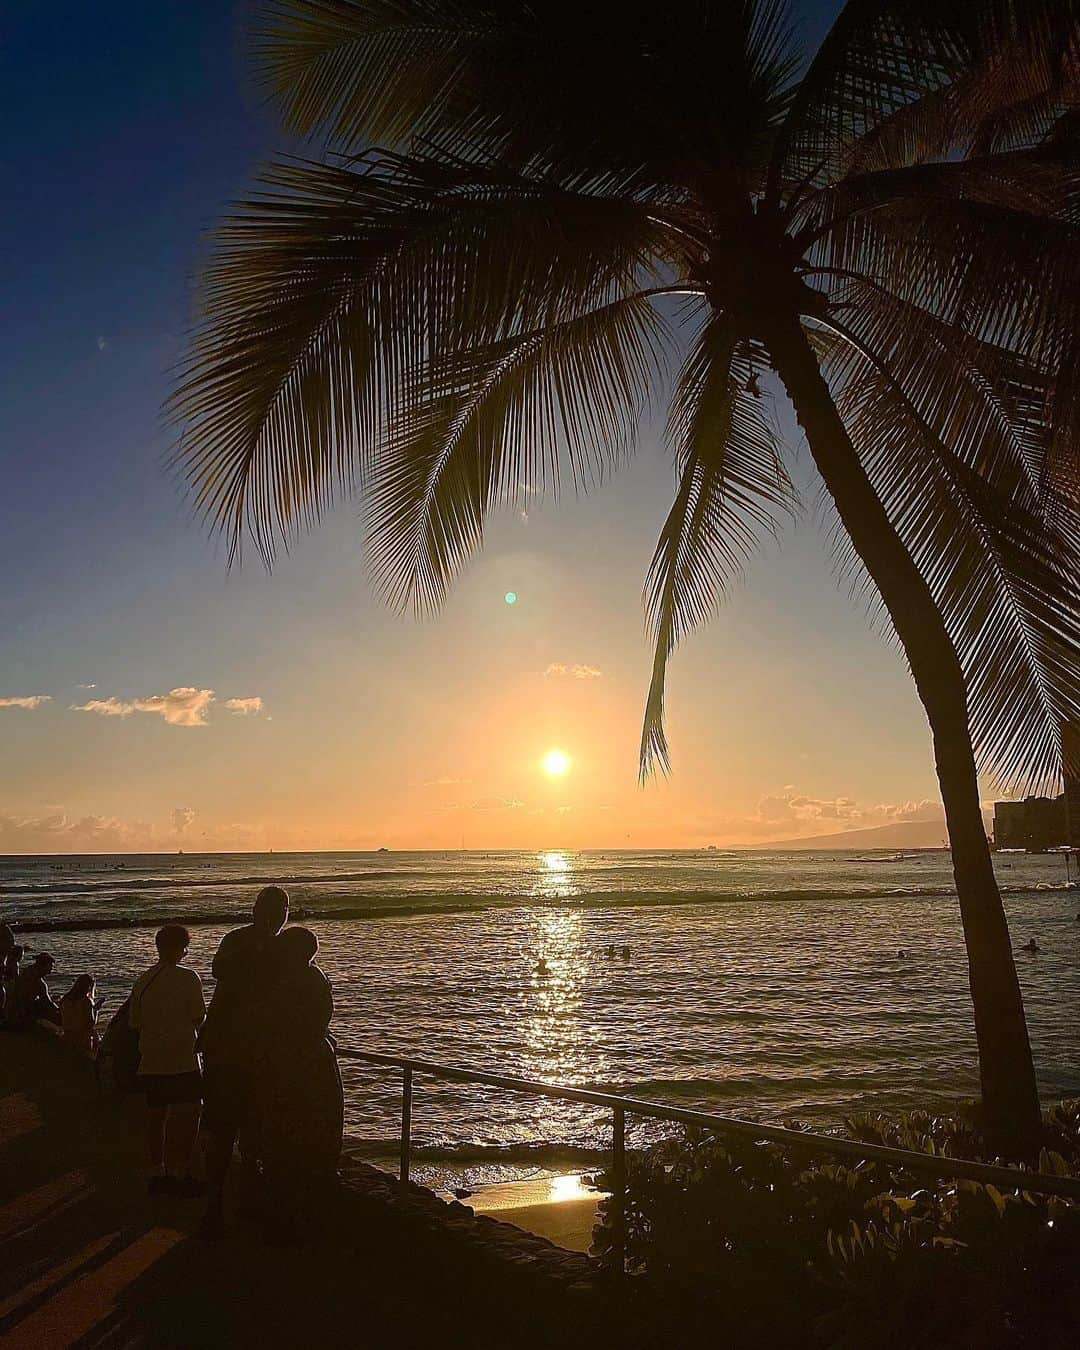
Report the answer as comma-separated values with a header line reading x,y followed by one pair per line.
x,y
329,295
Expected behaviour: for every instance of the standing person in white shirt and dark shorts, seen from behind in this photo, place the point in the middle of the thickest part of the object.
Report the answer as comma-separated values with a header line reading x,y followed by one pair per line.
x,y
167,1012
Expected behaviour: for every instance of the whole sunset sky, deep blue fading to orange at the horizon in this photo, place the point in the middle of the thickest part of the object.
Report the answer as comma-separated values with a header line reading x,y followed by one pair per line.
x,y
151,699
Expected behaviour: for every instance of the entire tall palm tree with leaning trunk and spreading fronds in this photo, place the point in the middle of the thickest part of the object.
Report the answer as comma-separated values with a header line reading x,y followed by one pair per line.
x,y
585,211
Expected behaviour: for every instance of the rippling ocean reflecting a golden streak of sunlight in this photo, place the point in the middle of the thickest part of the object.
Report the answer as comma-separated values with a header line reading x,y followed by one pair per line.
x,y
757,983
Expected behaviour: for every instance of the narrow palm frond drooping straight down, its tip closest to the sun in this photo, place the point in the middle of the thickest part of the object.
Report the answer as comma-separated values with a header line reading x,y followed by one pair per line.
x,y
732,488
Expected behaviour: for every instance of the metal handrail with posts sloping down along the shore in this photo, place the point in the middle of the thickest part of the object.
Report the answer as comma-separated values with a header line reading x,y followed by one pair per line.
x,y
929,1164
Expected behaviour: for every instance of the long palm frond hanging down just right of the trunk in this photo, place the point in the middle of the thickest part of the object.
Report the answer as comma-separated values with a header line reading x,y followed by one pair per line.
x,y
1004,572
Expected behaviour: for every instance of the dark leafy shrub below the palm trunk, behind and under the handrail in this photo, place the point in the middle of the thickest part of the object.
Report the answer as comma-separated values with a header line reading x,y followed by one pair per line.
x,y
781,1248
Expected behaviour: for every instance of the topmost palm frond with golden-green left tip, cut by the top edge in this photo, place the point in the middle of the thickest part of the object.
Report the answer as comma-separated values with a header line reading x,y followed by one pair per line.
x,y
603,95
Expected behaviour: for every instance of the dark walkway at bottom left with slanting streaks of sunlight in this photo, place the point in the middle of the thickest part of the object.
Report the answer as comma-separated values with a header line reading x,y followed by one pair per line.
x,y
88,1260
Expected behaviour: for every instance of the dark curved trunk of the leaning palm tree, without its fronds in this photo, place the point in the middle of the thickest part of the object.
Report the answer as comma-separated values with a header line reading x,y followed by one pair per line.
x,y
1010,1098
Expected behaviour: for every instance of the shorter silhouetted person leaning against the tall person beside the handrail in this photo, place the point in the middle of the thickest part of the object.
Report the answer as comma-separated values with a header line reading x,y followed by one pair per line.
x,y
300,1089
